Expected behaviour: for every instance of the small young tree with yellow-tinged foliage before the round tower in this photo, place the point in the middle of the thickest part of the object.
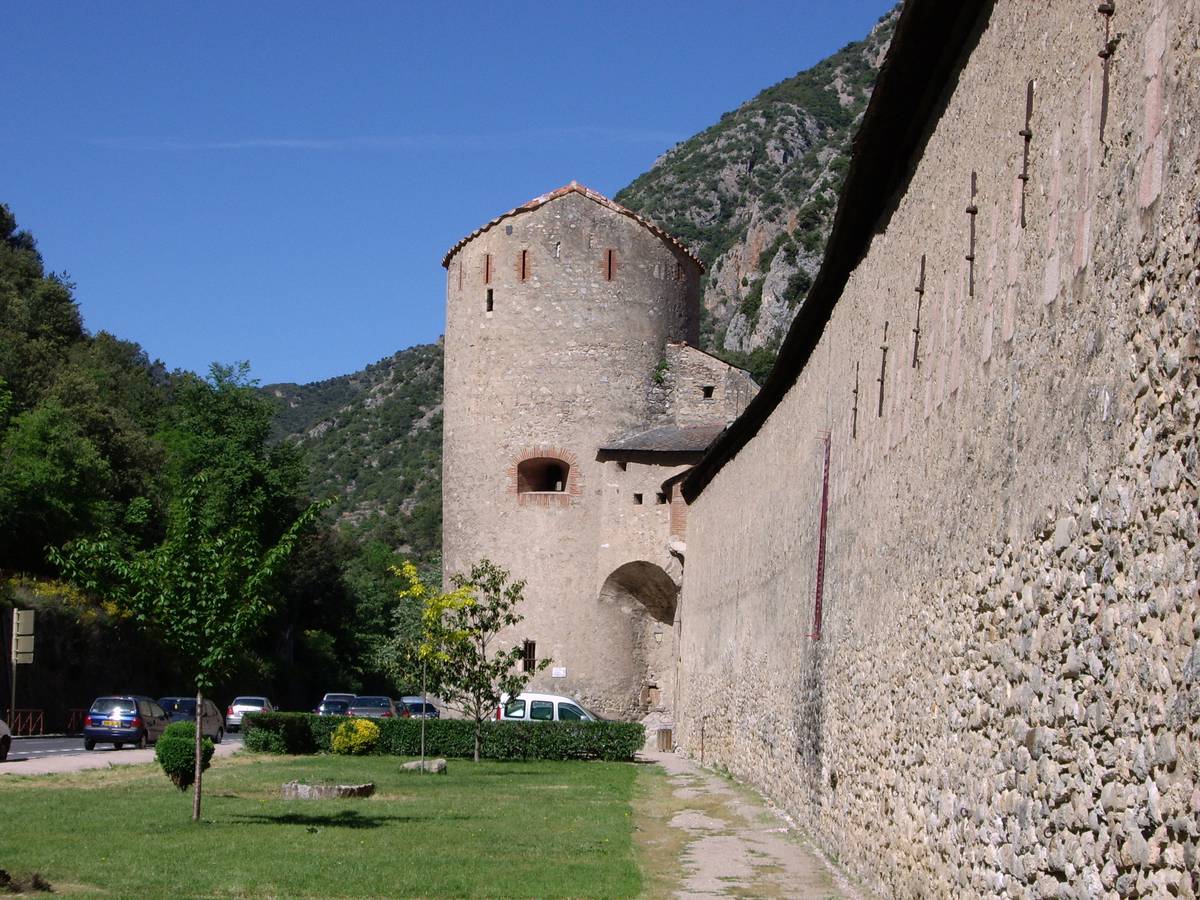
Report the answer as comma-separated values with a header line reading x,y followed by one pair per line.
x,y
459,633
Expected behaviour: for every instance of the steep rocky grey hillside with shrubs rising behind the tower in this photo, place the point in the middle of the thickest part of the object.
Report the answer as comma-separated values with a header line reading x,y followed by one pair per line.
x,y
755,195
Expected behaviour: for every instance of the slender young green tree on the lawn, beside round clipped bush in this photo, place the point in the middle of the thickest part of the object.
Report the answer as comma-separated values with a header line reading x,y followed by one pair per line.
x,y
205,590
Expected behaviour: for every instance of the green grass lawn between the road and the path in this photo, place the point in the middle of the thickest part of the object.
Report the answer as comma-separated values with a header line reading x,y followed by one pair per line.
x,y
488,830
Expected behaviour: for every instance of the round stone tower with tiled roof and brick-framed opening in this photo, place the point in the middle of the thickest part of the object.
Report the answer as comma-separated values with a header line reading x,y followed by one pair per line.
x,y
557,319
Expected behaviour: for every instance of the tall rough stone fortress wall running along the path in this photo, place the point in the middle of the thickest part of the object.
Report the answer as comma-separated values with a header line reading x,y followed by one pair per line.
x,y
1004,699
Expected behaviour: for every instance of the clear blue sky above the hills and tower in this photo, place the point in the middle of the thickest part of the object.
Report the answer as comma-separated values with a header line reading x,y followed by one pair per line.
x,y
278,183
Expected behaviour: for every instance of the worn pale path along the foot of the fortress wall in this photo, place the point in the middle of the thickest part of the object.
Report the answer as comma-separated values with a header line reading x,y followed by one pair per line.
x,y
704,836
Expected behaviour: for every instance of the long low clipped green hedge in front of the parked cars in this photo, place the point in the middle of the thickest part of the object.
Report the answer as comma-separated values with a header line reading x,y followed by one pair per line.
x,y
307,734
